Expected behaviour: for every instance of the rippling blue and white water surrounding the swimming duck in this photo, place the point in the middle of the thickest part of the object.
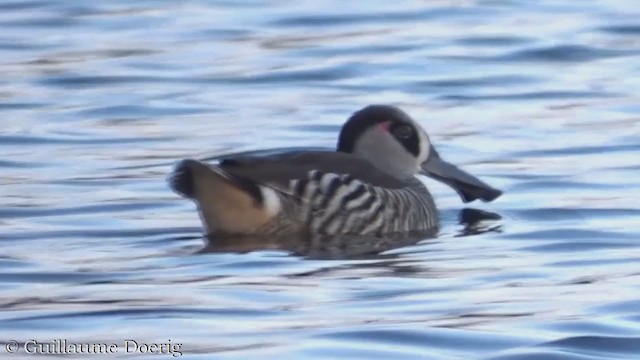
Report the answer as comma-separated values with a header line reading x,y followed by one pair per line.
x,y
98,99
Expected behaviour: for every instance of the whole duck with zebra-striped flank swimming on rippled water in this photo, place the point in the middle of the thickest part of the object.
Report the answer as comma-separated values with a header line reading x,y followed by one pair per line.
x,y
369,185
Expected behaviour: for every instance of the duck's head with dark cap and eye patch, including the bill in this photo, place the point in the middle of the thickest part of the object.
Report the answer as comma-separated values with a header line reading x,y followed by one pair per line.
x,y
396,144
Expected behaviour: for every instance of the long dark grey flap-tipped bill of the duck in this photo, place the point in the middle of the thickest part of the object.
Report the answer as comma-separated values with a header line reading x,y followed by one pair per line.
x,y
466,185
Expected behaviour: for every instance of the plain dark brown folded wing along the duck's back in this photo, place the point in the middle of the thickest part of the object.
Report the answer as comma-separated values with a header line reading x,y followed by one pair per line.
x,y
279,169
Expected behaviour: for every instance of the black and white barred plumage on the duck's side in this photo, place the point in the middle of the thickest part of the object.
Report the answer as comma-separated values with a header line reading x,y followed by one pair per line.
x,y
340,204
